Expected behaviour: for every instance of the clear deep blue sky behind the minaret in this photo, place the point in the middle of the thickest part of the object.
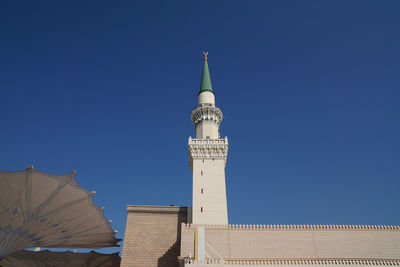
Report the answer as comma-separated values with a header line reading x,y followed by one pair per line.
x,y
310,92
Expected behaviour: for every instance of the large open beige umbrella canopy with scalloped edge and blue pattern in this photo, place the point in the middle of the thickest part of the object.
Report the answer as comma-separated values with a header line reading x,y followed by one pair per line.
x,y
43,210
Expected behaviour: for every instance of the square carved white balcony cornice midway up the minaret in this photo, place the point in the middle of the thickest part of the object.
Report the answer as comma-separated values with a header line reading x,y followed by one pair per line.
x,y
208,148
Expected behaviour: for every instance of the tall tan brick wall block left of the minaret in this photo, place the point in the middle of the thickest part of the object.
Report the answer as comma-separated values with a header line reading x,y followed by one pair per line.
x,y
152,236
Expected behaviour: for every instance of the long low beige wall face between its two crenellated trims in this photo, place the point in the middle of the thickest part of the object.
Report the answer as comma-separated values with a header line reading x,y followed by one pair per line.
x,y
252,242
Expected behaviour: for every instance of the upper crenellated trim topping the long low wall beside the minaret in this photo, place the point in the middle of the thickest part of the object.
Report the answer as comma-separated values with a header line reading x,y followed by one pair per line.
x,y
298,227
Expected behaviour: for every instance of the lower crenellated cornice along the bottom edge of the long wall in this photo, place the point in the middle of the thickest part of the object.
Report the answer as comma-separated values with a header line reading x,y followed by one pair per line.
x,y
286,262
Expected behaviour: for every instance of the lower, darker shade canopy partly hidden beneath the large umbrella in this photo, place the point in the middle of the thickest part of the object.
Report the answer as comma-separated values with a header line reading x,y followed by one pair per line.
x,y
46,258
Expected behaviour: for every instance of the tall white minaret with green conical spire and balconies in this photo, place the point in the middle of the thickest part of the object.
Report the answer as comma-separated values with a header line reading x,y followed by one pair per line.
x,y
207,157
